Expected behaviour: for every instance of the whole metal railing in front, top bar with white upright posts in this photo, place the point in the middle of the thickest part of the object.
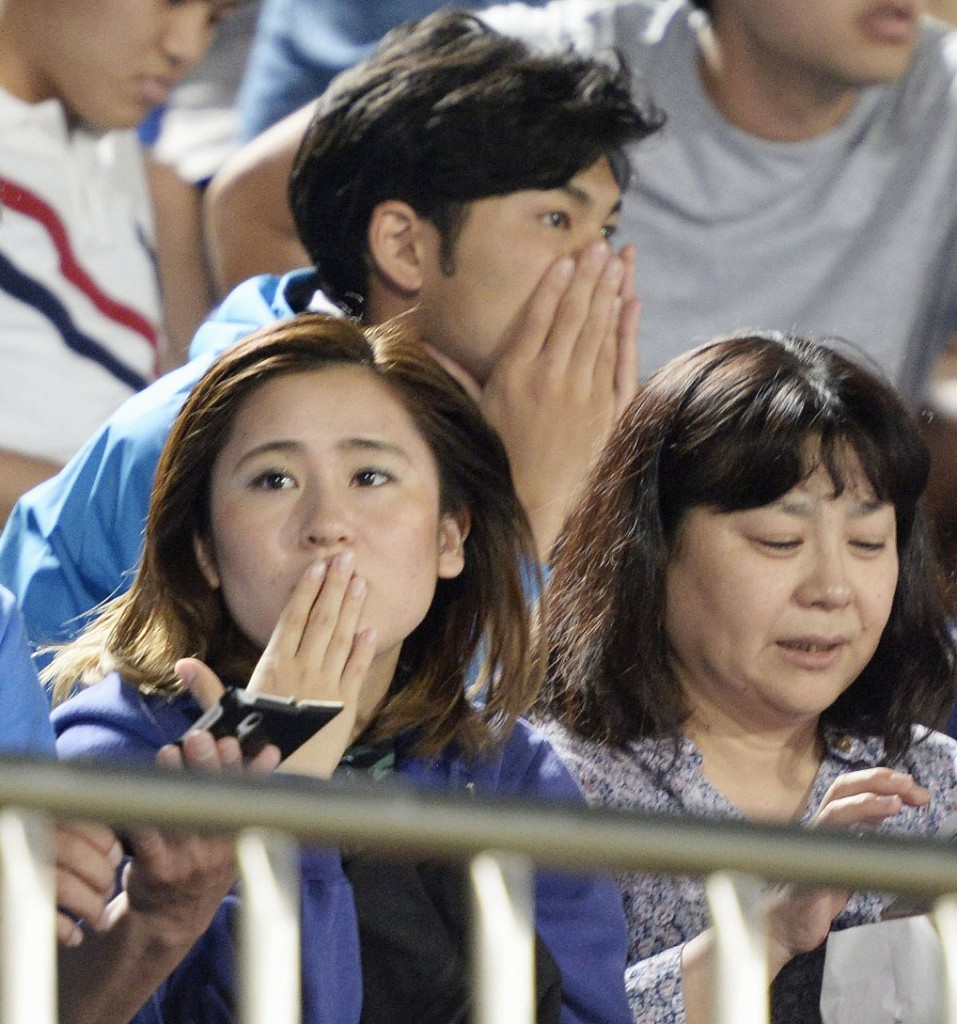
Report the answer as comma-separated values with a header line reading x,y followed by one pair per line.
x,y
502,839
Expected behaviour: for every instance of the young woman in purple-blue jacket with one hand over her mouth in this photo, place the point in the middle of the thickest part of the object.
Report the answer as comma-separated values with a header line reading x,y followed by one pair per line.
x,y
334,520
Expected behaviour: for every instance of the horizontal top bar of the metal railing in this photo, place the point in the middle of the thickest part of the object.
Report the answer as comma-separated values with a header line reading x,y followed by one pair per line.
x,y
402,821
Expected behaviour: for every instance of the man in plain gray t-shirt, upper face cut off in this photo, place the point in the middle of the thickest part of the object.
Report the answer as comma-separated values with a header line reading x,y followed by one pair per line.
x,y
806,180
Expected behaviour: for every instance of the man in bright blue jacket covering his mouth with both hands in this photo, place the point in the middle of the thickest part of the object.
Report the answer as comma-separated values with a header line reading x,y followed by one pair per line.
x,y
491,245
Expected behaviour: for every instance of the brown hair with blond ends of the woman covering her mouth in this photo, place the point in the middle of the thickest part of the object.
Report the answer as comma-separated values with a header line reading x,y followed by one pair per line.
x,y
171,612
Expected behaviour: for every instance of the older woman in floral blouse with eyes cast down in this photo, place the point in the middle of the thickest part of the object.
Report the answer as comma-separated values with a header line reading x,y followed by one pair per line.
x,y
748,622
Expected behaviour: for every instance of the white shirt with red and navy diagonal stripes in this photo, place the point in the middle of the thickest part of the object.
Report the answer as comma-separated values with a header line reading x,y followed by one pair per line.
x,y
80,305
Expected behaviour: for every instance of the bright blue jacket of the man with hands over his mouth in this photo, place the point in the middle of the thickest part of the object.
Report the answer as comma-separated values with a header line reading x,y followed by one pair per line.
x,y
76,540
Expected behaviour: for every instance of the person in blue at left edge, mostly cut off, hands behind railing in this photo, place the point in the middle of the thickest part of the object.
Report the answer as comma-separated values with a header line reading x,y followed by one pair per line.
x,y
112,953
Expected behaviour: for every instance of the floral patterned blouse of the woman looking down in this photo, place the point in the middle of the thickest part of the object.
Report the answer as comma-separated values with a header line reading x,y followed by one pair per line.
x,y
664,913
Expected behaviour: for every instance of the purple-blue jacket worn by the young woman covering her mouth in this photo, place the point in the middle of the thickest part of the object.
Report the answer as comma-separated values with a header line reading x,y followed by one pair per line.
x,y
580,919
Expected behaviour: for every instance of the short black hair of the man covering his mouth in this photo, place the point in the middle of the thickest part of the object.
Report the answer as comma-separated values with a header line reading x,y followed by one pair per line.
x,y
447,111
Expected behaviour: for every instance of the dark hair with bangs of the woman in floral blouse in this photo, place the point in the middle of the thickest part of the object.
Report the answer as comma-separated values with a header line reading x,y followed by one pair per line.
x,y
736,424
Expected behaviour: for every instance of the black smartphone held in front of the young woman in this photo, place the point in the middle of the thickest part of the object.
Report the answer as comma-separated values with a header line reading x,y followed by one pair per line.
x,y
257,719
